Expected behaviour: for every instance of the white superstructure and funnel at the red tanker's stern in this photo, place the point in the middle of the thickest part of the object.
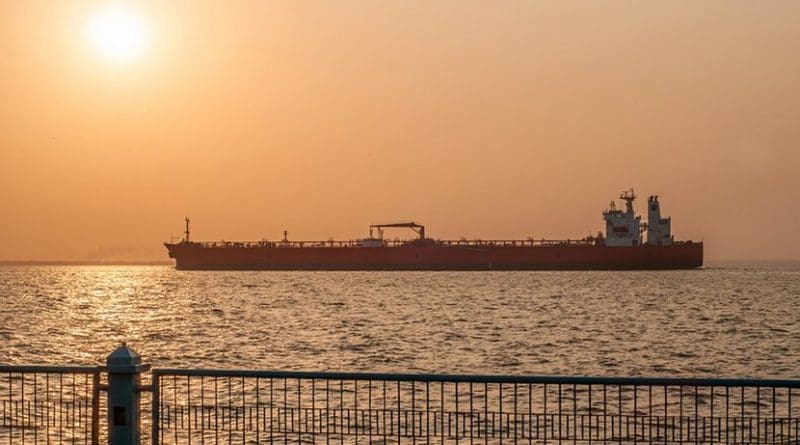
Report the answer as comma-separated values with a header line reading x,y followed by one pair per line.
x,y
624,228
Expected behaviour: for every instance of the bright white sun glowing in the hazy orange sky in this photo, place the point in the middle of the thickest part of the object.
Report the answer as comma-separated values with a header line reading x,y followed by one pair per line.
x,y
117,34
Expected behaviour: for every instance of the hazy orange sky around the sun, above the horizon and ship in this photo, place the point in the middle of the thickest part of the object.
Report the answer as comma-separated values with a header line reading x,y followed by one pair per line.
x,y
480,119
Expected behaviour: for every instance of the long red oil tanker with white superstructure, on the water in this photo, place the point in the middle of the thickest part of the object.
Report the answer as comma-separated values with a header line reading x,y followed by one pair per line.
x,y
627,244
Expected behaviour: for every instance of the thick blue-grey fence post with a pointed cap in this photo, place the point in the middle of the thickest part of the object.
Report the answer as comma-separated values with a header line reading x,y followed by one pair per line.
x,y
124,367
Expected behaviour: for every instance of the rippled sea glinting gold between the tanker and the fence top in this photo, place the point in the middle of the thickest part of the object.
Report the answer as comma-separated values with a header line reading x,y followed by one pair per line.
x,y
735,321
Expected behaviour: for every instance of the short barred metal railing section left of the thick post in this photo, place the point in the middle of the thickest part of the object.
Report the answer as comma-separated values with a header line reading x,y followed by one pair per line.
x,y
49,404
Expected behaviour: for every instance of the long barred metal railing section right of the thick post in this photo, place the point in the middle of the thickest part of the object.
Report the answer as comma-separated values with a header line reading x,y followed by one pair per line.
x,y
237,406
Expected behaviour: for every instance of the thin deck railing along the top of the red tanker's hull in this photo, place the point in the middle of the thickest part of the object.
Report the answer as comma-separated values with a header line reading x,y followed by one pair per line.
x,y
396,243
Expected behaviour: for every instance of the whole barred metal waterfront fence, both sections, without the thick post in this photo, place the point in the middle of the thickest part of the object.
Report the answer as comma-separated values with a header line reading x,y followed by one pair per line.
x,y
62,405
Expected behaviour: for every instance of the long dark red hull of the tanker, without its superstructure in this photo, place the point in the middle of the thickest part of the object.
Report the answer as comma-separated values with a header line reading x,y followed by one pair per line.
x,y
194,256
